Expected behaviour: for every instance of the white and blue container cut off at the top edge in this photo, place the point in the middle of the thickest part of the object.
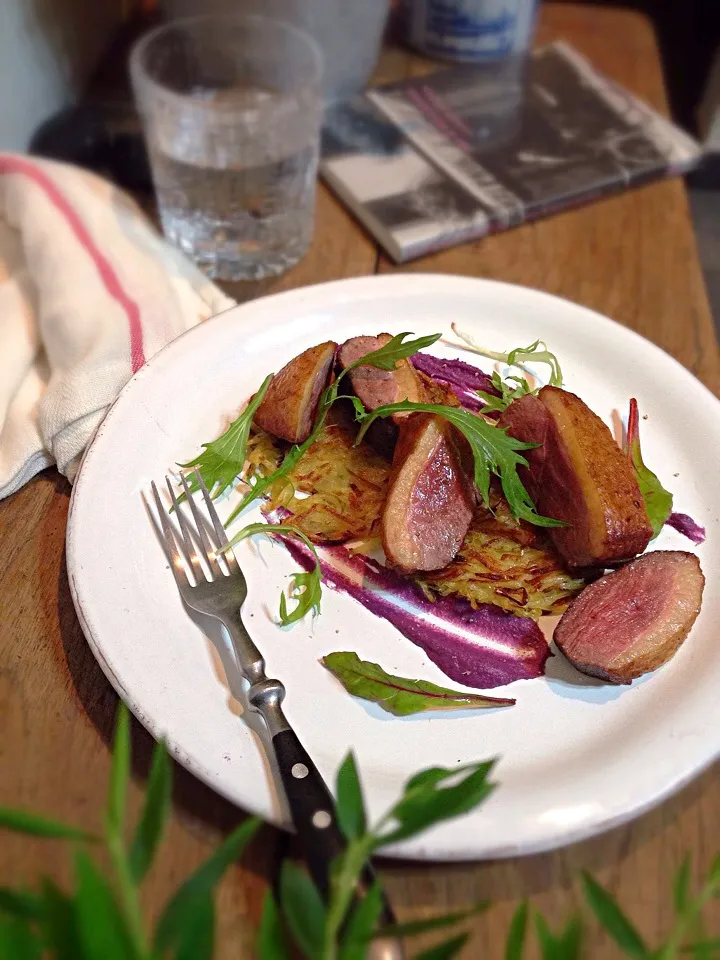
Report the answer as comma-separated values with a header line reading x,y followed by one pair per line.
x,y
470,31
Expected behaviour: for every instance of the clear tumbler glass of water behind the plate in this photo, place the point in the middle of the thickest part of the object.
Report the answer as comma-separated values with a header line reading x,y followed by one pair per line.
x,y
231,107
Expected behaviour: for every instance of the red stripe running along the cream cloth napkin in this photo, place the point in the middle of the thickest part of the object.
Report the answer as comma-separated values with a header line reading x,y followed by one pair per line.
x,y
13,164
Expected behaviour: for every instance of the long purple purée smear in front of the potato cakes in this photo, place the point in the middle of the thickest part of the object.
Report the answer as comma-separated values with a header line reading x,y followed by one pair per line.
x,y
482,647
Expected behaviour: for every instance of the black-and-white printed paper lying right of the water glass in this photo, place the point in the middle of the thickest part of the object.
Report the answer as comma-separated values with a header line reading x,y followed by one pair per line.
x,y
433,161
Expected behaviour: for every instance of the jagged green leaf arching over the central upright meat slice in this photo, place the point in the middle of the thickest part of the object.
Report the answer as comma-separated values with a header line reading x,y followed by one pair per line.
x,y
493,451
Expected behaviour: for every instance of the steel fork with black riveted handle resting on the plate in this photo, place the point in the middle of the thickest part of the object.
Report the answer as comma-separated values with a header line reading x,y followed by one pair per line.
x,y
218,589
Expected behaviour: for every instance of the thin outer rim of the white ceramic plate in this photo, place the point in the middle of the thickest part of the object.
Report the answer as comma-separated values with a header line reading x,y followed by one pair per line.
x,y
418,852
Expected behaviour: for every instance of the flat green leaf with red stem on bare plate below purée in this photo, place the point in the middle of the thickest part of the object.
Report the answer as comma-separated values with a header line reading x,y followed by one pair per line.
x,y
400,695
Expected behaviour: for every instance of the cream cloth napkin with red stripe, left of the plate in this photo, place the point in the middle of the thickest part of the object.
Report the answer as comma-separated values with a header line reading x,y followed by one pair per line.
x,y
88,292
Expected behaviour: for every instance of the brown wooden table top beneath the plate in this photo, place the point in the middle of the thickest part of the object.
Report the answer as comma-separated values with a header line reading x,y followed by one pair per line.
x,y
632,257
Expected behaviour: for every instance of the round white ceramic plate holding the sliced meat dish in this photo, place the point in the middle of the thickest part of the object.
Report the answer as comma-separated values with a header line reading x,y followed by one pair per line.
x,y
575,756
